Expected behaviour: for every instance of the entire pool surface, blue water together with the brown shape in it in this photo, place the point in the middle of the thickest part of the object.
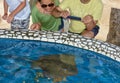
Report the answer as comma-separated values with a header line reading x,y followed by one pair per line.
x,y
23,61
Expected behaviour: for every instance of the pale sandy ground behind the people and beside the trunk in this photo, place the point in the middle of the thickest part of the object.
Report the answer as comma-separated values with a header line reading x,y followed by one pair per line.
x,y
104,23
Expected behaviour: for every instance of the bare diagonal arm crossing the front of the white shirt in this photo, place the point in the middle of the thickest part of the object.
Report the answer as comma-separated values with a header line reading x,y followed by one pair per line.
x,y
17,10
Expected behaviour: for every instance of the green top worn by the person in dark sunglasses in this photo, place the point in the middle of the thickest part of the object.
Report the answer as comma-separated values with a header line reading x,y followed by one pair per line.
x,y
48,22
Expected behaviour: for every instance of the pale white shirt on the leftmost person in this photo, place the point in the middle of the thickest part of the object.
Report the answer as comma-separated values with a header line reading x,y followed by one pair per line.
x,y
24,13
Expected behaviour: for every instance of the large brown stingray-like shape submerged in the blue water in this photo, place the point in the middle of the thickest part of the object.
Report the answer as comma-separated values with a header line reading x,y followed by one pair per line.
x,y
57,67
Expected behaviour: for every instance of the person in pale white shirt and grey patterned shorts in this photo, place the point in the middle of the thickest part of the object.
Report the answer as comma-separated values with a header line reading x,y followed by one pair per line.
x,y
19,14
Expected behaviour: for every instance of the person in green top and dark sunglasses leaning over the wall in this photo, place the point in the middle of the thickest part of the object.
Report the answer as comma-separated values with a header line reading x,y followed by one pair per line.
x,y
42,18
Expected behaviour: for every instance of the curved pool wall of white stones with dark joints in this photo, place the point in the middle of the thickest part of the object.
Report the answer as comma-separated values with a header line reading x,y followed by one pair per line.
x,y
72,39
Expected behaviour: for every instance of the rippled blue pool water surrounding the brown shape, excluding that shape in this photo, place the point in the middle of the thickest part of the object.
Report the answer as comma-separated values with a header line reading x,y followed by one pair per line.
x,y
15,66
